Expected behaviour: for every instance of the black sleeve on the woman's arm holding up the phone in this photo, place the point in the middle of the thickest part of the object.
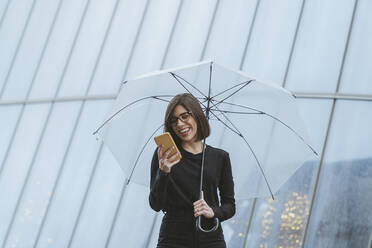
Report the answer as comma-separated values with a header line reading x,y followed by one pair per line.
x,y
158,185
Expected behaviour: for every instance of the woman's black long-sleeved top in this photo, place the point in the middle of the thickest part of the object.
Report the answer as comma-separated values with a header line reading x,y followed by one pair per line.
x,y
180,188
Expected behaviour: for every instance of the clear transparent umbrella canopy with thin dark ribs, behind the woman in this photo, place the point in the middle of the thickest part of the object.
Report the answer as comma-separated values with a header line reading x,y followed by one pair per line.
x,y
257,123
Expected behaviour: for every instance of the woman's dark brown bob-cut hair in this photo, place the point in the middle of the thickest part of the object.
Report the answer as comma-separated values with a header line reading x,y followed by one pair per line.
x,y
190,103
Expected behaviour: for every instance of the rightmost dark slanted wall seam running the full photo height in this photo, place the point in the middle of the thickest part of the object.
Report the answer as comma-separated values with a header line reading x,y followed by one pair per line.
x,y
321,162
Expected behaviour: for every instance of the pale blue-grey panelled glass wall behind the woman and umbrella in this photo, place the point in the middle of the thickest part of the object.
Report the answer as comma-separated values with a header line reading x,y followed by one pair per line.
x,y
61,65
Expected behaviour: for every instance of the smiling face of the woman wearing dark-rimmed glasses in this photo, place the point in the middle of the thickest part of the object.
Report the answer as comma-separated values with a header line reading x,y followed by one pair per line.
x,y
185,126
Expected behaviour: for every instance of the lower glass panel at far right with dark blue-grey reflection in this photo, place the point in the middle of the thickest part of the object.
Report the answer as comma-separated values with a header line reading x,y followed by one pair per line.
x,y
342,212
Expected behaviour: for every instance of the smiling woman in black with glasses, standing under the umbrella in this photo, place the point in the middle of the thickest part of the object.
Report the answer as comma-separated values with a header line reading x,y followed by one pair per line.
x,y
174,187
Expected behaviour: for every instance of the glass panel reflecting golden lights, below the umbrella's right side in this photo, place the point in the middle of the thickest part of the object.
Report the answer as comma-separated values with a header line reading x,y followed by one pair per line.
x,y
281,222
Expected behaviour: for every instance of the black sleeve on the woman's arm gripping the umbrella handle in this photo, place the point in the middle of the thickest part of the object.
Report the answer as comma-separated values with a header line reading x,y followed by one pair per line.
x,y
226,187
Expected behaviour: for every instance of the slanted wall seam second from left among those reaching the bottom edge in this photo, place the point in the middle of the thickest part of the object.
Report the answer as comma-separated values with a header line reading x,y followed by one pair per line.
x,y
62,166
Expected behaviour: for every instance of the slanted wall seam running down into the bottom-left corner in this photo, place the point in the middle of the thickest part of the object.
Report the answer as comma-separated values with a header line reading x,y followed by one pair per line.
x,y
44,127
